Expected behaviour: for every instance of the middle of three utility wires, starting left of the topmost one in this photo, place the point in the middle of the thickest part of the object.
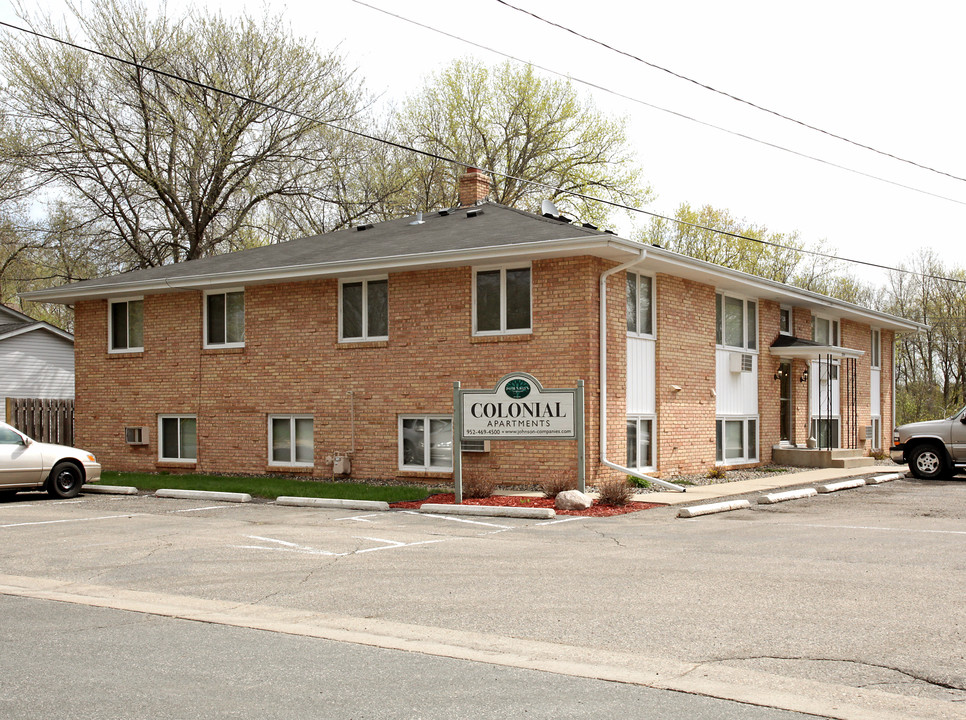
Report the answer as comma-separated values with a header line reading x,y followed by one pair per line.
x,y
644,103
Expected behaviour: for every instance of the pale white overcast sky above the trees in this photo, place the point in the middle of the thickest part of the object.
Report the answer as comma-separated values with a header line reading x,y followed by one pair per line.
x,y
884,74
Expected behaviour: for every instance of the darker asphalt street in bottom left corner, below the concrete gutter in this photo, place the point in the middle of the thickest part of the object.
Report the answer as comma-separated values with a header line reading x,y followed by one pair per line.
x,y
95,663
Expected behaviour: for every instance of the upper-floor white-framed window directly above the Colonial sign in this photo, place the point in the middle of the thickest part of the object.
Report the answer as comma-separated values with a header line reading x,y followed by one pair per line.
x,y
501,301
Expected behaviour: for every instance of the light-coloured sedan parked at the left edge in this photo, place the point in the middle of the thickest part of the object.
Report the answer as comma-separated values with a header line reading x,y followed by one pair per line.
x,y
29,465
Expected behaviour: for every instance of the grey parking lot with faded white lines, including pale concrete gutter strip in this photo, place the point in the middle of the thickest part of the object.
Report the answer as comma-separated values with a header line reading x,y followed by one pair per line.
x,y
844,605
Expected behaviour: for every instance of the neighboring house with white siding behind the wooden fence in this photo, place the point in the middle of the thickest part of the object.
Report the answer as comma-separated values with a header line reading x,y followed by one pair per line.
x,y
36,359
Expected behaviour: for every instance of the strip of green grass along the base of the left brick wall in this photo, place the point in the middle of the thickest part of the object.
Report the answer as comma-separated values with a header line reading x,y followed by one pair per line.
x,y
268,487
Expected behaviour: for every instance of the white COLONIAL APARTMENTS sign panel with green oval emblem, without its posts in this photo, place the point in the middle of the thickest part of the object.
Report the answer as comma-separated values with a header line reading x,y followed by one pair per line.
x,y
519,408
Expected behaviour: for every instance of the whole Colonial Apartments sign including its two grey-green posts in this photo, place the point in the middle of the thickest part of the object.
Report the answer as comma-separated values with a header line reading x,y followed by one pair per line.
x,y
517,408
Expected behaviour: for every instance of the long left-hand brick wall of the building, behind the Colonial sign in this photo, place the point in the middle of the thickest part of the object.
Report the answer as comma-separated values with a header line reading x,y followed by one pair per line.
x,y
292,363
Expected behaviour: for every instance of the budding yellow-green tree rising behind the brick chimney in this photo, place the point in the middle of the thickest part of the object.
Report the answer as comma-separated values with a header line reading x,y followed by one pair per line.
x,y
524,128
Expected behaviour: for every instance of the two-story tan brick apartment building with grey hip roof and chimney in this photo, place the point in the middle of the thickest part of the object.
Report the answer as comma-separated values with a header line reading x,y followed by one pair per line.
x,y
281,358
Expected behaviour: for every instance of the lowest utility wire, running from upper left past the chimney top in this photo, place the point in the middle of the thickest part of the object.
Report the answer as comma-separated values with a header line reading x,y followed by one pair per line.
x,y
455,161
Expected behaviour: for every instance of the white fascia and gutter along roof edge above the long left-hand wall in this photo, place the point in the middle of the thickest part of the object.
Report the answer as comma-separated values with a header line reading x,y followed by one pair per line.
x,y
609,246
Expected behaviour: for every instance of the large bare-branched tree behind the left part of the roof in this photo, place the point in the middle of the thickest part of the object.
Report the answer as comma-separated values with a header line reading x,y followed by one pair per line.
x,y
166,170
